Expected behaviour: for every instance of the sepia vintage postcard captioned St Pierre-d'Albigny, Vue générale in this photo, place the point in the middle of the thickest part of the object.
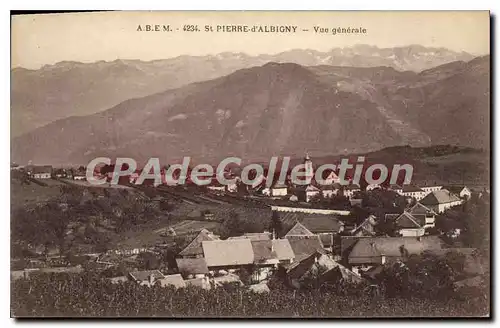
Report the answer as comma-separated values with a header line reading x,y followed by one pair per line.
x,y
250,164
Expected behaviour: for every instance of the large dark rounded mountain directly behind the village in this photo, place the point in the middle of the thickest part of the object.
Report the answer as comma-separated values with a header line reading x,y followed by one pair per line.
x,y
279,109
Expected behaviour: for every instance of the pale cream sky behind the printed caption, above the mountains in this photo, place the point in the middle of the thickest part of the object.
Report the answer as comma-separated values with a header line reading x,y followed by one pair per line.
x,y
46,39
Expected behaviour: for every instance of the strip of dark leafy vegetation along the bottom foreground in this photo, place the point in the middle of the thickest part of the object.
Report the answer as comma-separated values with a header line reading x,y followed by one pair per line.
x,y
89,295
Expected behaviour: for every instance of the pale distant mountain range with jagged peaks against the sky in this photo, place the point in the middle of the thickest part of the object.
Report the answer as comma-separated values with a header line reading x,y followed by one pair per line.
x,y
65,89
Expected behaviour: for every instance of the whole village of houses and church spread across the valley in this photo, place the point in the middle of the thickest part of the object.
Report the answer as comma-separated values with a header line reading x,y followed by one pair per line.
x,y
328,232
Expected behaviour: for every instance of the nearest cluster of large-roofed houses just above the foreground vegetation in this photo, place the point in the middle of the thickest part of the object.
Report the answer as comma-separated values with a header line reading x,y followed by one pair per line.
x,y
321,246
